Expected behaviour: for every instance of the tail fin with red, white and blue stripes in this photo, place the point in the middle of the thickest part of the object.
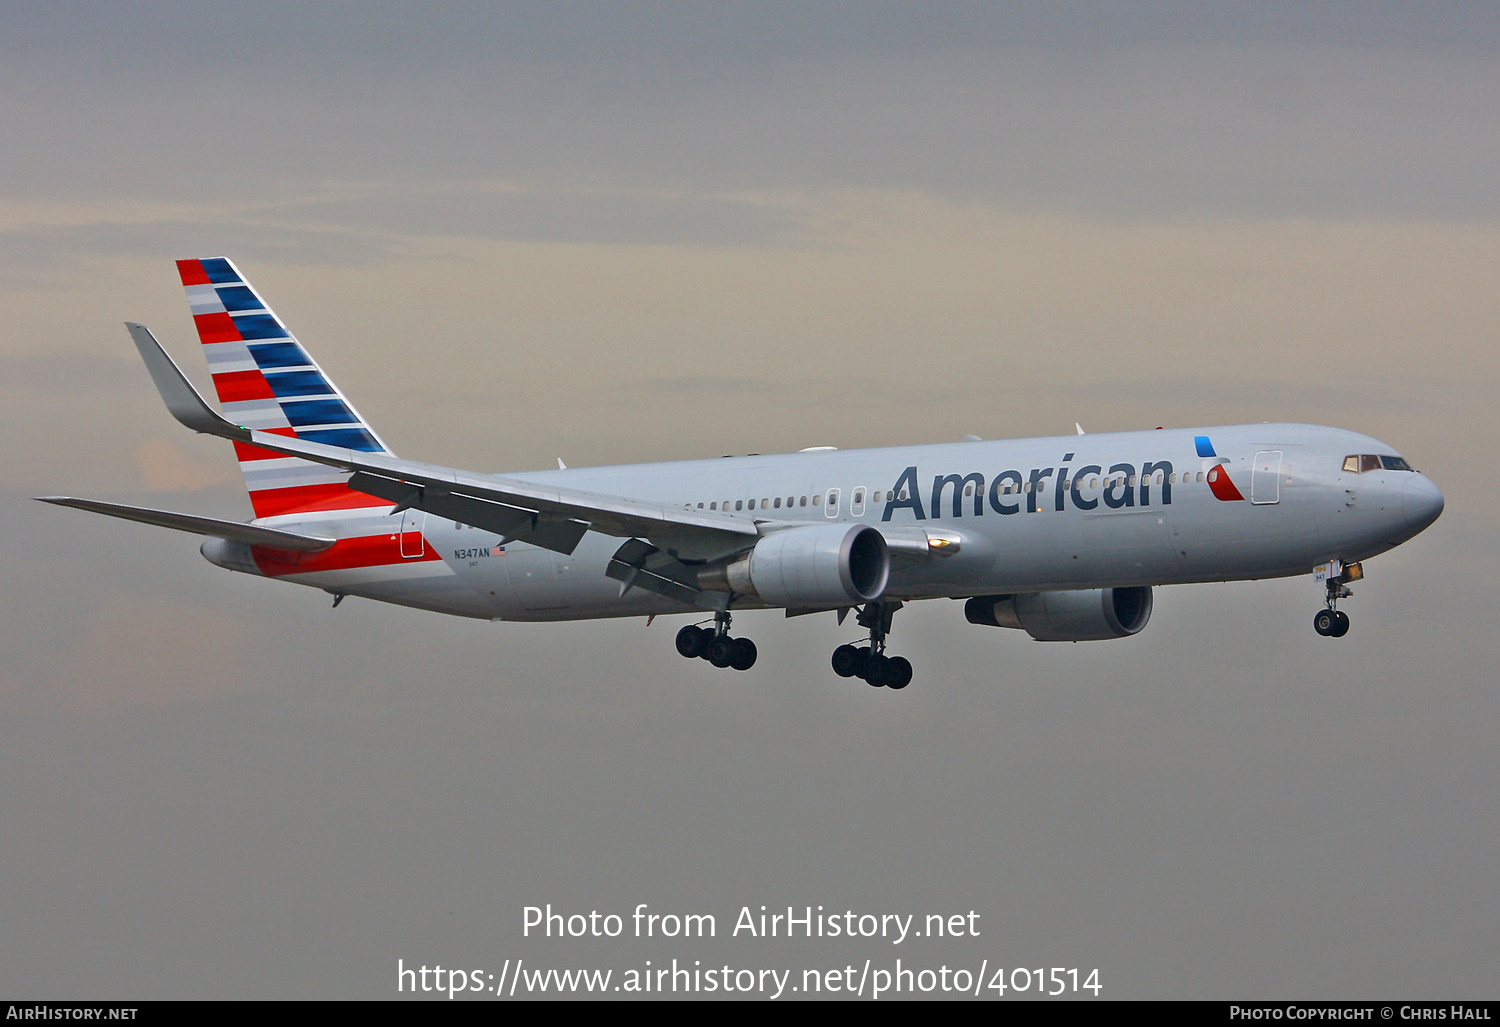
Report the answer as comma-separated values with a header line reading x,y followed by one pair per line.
x,y
268,382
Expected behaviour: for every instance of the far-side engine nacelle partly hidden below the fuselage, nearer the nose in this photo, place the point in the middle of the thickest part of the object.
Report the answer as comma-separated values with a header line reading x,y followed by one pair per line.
x,y
1084,615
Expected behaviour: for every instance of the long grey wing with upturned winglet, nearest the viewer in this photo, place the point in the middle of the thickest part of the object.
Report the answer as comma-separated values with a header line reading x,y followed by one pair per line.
x,y
544,515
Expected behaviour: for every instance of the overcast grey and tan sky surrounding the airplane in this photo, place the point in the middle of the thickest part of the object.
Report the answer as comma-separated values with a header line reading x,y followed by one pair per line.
x,y
619,233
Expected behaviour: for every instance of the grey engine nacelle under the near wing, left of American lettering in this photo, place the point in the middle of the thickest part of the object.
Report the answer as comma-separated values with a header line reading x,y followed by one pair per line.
x,y
821,566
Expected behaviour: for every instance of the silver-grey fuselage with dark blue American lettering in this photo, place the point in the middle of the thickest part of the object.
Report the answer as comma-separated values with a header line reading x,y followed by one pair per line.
x,y
1075,512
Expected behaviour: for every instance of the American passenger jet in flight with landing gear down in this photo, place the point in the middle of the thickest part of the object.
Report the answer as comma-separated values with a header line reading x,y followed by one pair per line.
x,y
1060,537
